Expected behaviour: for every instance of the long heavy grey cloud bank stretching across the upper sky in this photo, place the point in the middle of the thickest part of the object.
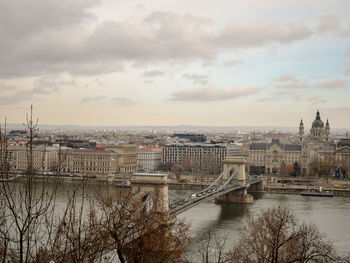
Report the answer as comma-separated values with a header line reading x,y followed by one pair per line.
x,y
41,37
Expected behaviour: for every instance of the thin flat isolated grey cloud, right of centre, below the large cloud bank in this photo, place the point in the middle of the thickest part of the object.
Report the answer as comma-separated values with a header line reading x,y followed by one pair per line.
x,y
212,93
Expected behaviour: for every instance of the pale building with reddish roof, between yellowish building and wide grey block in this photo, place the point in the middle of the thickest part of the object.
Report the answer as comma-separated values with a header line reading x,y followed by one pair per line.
x,y
149,159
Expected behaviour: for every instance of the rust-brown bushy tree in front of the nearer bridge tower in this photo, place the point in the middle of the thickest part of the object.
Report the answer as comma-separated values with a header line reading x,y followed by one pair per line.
x,y
139,232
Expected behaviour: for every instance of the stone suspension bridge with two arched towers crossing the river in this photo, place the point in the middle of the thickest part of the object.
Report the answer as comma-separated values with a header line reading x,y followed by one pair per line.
x,y
230,186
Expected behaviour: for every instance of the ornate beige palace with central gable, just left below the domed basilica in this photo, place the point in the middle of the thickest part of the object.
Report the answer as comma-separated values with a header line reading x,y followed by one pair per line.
x,y
273,157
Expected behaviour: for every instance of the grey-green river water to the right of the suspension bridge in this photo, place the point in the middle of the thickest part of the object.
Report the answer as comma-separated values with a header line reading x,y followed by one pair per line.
x,y
330,215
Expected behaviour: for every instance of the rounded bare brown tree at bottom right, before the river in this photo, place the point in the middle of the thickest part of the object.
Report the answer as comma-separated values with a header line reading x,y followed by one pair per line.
x,y
275,236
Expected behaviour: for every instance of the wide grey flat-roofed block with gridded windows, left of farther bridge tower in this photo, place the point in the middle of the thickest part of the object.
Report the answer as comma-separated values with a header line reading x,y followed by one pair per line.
x,y
198,157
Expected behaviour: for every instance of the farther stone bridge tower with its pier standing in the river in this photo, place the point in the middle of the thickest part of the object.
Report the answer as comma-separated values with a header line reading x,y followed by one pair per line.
x,y
241,196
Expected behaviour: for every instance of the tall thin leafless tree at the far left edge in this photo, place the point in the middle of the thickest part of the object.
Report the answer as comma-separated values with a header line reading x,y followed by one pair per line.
x,y
25,206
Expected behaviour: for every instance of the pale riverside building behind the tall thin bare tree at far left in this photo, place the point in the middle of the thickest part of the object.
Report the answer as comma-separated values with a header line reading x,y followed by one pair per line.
x,y
44,158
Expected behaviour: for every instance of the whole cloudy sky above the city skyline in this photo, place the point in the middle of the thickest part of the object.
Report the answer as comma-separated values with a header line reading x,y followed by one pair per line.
x,y
161,62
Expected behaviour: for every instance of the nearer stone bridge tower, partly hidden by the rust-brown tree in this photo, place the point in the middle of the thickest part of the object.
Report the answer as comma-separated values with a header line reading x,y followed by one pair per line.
x,y
152,189
